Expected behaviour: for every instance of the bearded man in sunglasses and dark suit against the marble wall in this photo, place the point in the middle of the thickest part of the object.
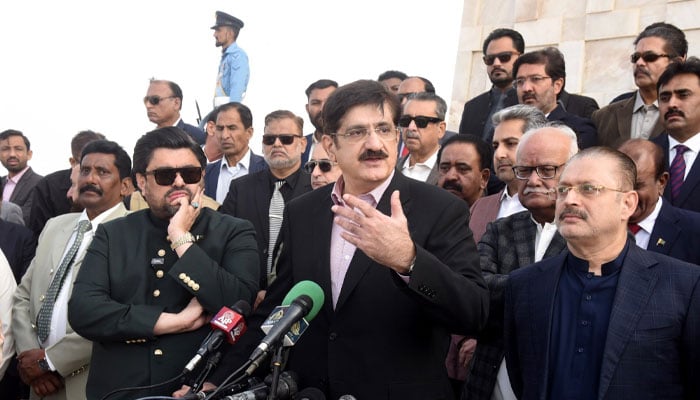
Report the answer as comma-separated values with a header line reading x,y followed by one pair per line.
x,y
501,48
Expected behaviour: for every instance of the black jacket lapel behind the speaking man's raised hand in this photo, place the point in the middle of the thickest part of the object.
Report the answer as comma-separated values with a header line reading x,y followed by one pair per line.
x,y
360,262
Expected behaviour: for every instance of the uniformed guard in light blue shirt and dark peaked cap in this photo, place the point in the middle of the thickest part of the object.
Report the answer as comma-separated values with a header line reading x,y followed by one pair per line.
x,y
232,80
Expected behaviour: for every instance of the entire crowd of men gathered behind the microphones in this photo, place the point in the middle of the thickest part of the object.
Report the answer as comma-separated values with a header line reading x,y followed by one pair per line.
x,y
549,249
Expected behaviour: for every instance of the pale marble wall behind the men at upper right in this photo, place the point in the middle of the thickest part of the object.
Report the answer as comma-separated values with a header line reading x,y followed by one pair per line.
x,y
595,36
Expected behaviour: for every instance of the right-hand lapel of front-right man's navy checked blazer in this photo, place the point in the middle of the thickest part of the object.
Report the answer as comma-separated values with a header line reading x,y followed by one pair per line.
x,y
635,285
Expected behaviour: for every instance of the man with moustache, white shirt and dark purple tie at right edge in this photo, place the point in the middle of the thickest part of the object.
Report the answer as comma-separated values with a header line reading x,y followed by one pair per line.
x,y
679,105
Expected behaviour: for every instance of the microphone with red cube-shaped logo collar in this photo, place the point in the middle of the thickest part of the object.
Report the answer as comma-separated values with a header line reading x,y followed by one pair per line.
x,y
229,324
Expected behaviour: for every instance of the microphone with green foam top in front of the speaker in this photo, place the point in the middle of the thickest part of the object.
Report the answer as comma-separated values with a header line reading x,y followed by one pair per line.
x,y
305,299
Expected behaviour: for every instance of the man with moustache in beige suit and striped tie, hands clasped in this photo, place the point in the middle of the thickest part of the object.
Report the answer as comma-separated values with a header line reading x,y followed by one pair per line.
x,y
52,358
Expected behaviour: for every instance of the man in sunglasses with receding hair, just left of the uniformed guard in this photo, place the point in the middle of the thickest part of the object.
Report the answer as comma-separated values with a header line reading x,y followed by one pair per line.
x,y
163,103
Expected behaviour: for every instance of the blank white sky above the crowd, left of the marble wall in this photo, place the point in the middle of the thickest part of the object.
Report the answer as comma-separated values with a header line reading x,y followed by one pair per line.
x,y
72,65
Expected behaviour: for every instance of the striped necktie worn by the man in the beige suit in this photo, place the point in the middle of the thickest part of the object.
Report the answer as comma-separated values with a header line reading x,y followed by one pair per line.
x,y
46,311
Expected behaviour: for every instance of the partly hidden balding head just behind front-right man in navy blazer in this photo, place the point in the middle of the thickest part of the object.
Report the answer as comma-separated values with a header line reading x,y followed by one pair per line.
x,y
652,176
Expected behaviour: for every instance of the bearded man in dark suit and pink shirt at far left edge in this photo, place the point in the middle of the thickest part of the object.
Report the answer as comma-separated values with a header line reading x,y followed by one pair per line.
x,y
15,152
